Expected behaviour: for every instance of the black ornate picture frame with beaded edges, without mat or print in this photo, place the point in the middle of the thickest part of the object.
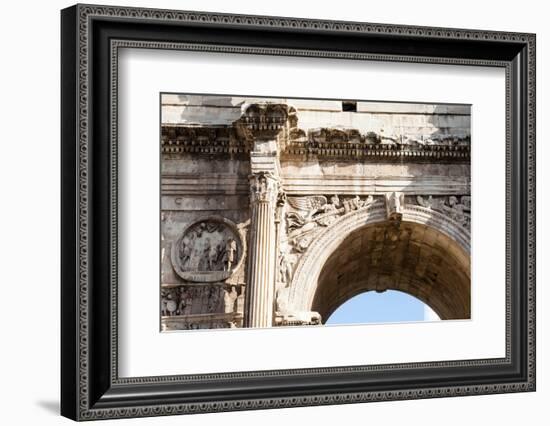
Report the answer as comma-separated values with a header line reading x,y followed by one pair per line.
x,y
90,386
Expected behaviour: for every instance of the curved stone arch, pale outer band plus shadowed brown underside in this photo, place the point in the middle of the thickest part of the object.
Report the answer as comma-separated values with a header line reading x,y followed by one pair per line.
x,y
451,248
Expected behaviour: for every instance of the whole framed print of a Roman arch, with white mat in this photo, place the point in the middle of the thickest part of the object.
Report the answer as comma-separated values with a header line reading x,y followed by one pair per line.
x,y
263,212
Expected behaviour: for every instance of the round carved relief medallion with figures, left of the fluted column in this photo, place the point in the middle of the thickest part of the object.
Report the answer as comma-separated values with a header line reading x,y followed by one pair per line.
x,y
208,250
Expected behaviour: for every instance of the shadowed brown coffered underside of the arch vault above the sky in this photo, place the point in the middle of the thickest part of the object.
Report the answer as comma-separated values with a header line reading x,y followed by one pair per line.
x,y
410,257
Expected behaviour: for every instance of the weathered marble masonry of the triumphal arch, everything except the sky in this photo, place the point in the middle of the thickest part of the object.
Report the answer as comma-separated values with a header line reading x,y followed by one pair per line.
x,y
274,212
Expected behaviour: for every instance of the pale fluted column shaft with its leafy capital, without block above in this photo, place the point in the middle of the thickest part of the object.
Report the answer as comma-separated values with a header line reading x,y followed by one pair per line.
x,y
261,285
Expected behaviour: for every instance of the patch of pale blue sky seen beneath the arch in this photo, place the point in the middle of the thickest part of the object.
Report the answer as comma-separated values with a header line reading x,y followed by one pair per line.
x,y
389,306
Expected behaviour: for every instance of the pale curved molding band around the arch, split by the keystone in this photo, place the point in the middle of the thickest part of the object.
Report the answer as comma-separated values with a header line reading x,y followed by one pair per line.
x,y
301,292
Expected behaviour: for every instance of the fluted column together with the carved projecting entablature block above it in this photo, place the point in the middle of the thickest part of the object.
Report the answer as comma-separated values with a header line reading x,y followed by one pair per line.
x,y
264,125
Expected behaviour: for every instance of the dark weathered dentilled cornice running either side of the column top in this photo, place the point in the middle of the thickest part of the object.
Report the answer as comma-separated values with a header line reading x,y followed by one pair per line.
x,y
177,140
